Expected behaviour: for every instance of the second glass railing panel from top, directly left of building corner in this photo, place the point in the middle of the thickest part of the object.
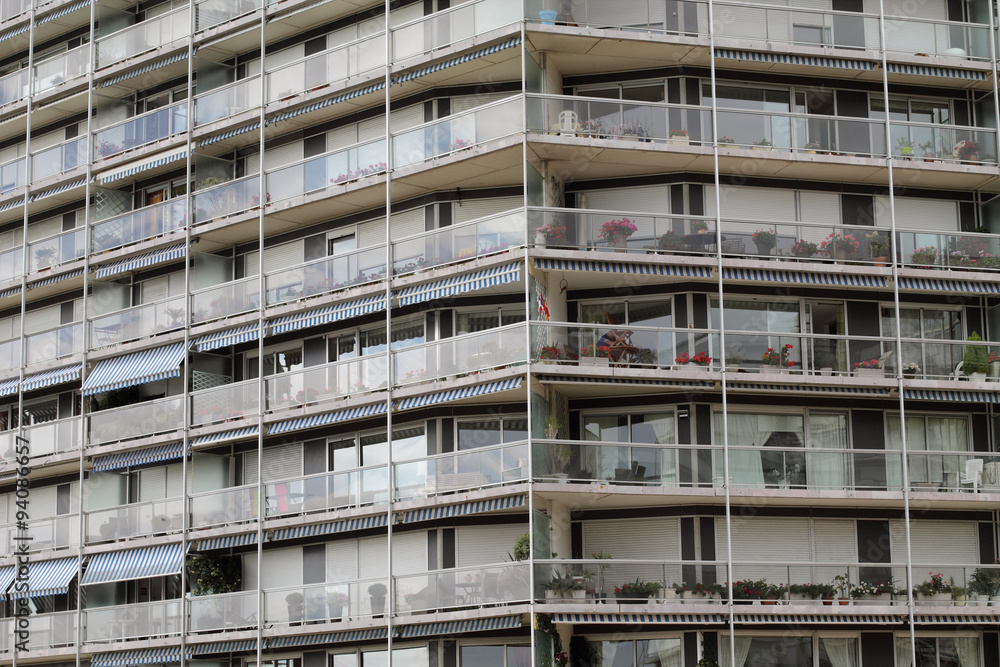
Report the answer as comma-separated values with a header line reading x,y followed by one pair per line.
x,y
457,133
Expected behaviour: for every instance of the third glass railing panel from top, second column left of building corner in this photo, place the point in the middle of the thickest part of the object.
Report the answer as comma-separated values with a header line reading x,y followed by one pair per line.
x,y
329,274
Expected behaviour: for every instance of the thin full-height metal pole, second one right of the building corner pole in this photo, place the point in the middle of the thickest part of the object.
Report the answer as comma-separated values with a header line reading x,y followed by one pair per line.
x,y
898,341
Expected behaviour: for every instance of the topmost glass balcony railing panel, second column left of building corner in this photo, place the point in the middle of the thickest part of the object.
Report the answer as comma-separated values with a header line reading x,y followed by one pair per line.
x,y
328,68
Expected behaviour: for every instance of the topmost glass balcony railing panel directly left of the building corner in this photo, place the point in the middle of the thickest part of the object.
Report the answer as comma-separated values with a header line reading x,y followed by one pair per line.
x,y
448,26
